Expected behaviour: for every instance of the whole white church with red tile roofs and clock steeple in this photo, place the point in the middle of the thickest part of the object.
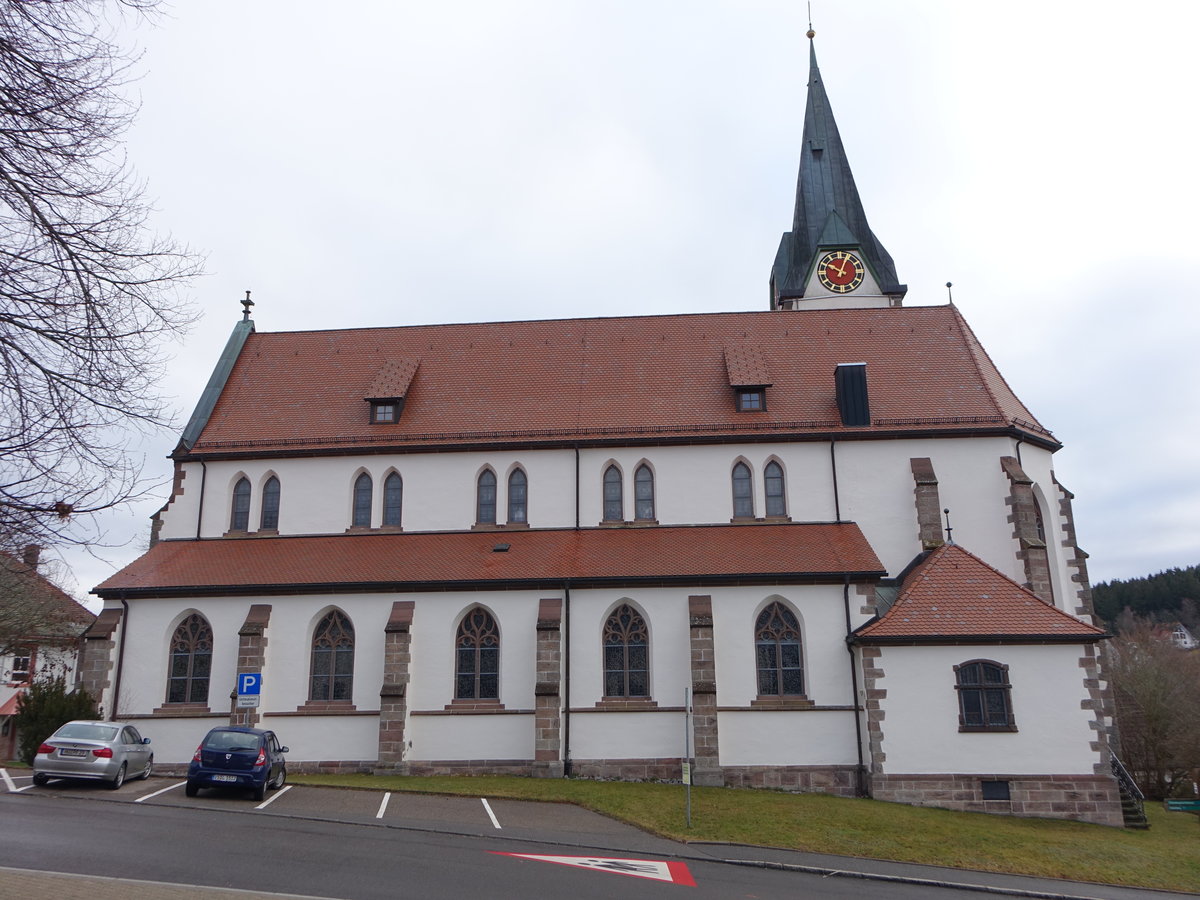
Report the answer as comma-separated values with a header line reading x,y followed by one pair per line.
x,y
611,547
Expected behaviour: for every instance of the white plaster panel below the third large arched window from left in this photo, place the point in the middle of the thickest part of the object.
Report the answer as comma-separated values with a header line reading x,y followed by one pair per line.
x,y
471,737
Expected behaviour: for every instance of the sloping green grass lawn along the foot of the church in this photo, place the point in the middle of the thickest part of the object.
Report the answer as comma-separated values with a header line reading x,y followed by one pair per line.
x,y
1167,856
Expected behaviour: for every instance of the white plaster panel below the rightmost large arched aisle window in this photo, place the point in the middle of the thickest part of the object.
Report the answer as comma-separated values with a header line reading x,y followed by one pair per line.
x,y
788,739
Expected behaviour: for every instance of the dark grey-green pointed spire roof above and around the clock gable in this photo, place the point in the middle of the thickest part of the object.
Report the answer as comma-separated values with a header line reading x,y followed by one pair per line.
x,y
829,212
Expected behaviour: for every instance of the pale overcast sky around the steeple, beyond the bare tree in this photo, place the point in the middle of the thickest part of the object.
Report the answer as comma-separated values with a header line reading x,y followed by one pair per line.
x,y
393,164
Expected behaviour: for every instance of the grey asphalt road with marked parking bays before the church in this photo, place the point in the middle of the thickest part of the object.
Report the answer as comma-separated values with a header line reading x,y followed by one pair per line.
x,y
368,845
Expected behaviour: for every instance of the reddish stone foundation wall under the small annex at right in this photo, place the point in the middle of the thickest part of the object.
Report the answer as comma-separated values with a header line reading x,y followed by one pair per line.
x,y
1094,800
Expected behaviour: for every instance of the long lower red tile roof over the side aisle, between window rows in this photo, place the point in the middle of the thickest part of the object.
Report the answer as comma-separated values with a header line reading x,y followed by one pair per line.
x,y
470,560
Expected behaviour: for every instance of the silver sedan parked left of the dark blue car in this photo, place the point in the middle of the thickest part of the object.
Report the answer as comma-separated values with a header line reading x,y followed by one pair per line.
x,y
103,752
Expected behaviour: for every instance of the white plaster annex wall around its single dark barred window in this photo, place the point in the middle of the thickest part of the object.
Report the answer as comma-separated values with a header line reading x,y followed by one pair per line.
x,y
921,729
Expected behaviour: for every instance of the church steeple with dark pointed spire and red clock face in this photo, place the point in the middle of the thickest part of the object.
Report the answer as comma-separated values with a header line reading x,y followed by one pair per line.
x,y
830,217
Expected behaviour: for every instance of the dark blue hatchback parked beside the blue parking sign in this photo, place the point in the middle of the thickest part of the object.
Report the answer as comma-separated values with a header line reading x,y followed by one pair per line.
x,y
232,757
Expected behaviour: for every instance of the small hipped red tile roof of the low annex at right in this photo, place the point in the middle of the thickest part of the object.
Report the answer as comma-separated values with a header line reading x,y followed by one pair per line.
x,y
956,596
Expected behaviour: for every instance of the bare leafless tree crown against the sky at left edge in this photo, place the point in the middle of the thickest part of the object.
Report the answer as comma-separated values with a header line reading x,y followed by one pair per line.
x,y
88,293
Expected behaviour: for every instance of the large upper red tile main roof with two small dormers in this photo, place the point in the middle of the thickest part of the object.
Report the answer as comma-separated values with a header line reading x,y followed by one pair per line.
x,y
610,380
